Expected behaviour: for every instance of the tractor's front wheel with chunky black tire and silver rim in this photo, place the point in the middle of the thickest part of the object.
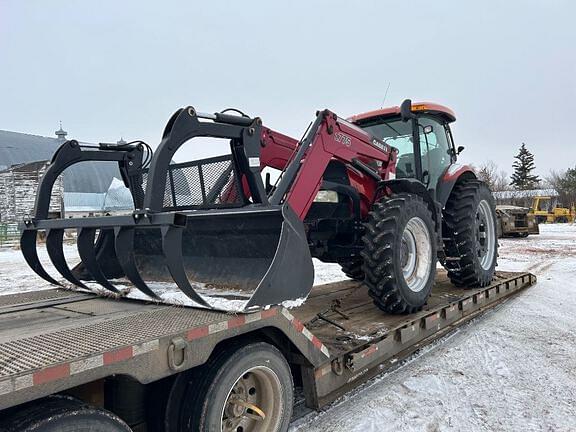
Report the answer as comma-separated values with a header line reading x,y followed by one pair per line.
x,y
399,253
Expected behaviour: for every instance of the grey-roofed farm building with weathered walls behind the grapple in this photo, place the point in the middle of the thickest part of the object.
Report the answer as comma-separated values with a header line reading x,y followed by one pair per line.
x,y
82,190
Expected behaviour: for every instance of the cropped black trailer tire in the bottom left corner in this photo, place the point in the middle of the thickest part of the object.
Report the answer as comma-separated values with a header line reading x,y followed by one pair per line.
x,y
60,413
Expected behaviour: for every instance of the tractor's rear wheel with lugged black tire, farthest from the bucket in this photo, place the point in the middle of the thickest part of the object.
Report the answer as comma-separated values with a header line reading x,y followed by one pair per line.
x,y
469,231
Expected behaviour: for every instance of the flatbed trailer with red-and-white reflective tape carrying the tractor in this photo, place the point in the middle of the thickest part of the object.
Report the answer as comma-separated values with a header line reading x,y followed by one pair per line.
x,y
125,356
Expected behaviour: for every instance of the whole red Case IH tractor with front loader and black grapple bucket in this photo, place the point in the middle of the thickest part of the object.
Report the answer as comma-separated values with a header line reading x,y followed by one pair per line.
x,y
381,194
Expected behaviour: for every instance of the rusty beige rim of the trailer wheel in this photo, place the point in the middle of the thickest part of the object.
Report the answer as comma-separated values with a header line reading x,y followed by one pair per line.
x,y
254,403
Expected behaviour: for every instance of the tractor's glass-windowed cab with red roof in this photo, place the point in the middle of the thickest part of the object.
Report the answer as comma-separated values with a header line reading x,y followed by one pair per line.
x,y
421,133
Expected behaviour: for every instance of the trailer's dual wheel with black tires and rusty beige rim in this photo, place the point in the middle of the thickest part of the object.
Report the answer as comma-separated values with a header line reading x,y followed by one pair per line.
x,y
239,381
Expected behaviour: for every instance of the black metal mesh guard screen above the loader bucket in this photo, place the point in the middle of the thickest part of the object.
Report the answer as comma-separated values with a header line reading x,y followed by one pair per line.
x,y
202,184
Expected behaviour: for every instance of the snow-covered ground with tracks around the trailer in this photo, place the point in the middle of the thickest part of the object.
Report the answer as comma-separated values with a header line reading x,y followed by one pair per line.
x,y
513,369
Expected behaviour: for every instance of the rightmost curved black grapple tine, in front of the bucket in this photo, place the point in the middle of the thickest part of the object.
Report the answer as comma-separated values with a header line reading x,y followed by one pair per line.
x,y
172,249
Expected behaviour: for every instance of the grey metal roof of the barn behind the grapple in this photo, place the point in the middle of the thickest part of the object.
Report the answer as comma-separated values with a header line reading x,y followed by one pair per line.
x,y
88,177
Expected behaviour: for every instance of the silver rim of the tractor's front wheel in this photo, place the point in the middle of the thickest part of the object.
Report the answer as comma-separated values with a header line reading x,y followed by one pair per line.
x,y
416,254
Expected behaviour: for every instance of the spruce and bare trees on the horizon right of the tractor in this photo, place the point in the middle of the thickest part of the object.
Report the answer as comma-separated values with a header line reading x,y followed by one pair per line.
x,y
523,177
